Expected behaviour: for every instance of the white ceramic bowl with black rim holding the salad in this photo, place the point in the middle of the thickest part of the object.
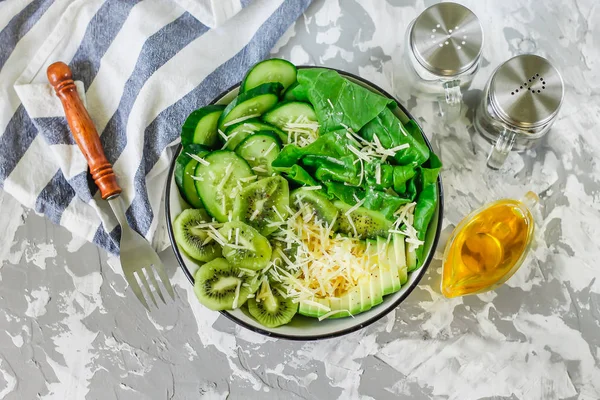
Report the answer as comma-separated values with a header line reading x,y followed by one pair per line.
x,y
304,328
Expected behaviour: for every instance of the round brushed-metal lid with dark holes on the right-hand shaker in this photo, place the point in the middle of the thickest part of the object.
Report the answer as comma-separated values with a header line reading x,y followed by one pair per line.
x,y
526,91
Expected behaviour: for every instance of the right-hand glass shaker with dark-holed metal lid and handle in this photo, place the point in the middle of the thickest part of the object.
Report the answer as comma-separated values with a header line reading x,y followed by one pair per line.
x,y
520,103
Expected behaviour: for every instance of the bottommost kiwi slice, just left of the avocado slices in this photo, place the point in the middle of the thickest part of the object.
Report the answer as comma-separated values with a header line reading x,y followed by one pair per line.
x,y
270,307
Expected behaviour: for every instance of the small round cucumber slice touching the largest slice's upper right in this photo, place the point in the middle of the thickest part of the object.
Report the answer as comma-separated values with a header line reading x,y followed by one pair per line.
x,y
260,149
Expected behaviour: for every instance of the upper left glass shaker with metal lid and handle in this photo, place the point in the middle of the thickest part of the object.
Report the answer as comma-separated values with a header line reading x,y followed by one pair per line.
x,y
443,51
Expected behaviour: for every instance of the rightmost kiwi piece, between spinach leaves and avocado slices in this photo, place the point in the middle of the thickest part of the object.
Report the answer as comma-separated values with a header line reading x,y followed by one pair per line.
x,y
368,223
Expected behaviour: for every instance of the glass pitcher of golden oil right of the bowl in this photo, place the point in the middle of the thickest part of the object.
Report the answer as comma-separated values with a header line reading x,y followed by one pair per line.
x,y
488,246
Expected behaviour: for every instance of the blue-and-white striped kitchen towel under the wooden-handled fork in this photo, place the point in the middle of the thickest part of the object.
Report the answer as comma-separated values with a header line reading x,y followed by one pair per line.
x,y
143,66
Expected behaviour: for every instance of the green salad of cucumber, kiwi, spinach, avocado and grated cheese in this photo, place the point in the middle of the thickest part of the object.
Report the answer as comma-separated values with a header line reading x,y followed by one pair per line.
x,y
307,196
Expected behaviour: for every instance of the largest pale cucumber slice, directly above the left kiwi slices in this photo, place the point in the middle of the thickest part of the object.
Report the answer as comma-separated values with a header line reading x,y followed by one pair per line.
x,y
217,182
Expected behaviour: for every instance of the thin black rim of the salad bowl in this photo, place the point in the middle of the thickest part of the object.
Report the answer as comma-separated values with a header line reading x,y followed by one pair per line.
x,y
421,271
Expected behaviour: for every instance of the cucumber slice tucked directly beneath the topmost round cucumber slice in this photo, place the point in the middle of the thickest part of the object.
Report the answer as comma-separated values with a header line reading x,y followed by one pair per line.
x,y
254,102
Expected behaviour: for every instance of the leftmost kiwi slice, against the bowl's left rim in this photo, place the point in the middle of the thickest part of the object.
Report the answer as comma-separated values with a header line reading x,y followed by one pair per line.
x,y
192,237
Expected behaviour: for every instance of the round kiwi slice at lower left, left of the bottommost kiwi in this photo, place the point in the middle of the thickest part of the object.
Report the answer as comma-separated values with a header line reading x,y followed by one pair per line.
x,y
221,286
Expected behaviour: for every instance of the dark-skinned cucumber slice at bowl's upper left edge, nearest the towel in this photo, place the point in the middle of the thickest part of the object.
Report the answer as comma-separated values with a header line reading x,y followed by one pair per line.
x,y
201,126
